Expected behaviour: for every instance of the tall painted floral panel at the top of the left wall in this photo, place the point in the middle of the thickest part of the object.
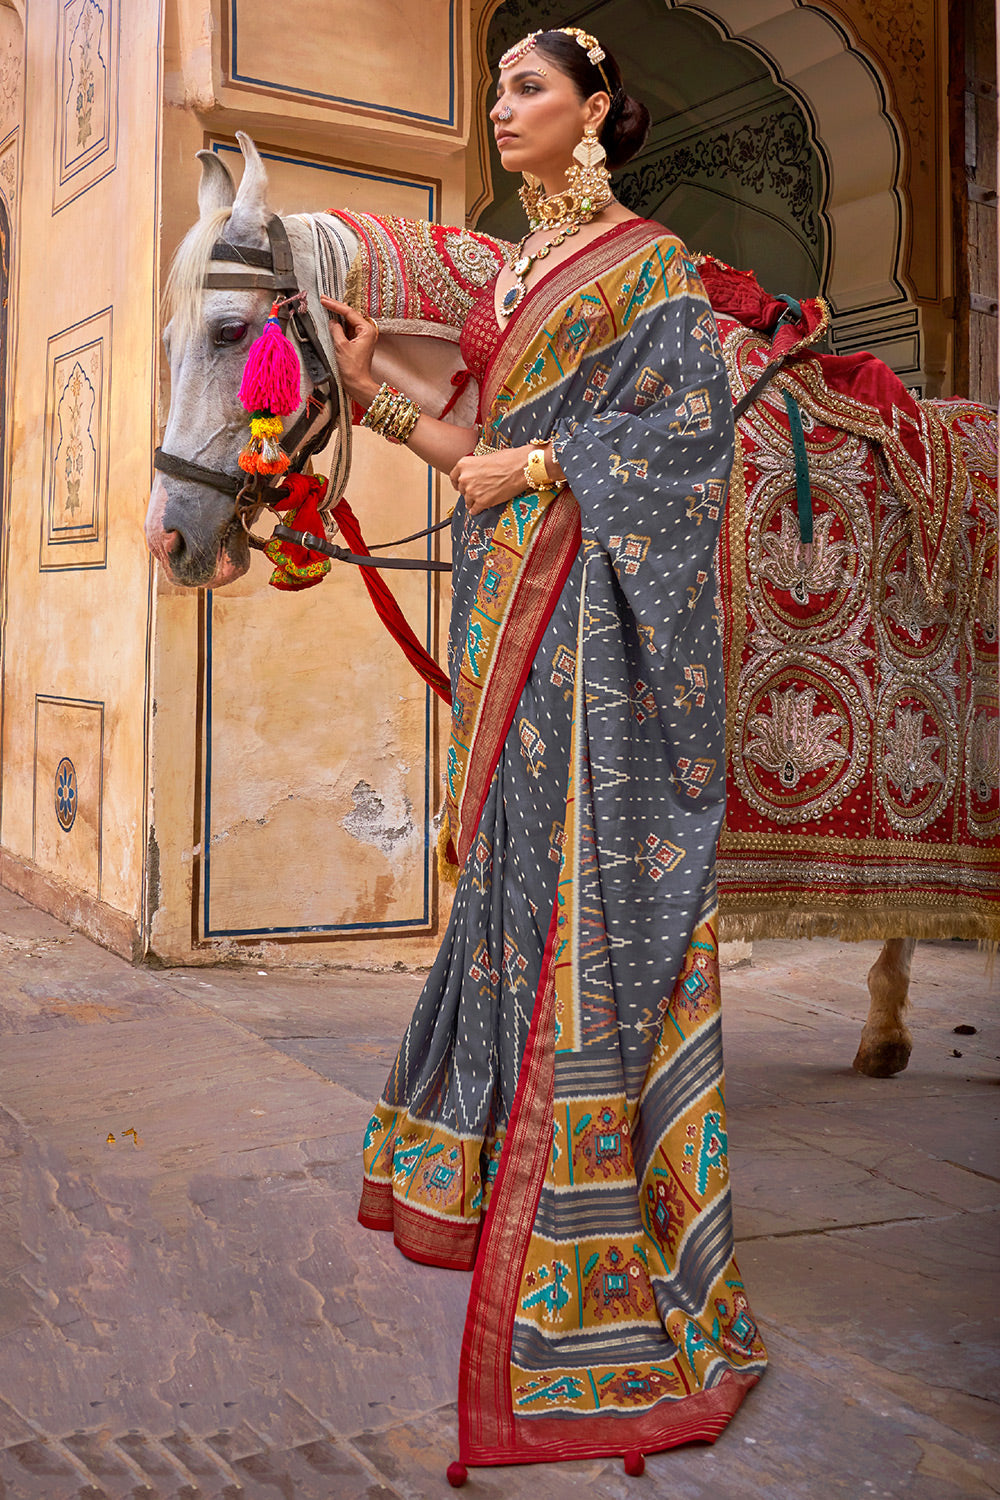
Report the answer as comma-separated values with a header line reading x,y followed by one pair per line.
x,y
86,97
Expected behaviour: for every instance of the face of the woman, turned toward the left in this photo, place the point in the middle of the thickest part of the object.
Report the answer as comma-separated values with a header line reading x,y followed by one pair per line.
x,y
546,118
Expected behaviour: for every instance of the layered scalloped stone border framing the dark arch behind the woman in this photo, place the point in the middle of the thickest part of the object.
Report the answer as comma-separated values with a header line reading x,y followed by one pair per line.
x,y
842,91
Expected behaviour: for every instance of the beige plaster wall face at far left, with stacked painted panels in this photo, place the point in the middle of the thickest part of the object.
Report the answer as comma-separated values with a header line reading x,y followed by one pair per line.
x,y
77,580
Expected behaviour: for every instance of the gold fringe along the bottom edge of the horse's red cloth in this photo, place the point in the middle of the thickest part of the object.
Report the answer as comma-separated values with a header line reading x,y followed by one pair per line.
x,y
857,926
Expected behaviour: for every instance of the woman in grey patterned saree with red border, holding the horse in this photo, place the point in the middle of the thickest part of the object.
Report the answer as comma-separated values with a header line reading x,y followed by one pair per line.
x,y
564,1063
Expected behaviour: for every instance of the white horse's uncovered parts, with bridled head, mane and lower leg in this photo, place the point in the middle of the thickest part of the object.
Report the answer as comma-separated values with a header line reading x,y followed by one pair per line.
x,y
193,527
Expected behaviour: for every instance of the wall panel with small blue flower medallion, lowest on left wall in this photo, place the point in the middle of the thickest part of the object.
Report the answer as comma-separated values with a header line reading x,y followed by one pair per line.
x,y
68,799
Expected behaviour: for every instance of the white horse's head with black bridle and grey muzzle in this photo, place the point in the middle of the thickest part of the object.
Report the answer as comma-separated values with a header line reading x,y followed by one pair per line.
x,y
217,307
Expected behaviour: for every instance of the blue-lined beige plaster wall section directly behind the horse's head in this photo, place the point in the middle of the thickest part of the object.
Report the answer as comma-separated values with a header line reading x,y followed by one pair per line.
x,y
296,770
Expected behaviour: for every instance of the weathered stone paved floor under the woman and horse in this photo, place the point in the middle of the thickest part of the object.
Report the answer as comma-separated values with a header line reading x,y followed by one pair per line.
x,y
193,1310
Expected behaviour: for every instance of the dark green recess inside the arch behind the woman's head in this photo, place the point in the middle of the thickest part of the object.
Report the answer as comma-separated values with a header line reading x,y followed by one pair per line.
x,y
731,164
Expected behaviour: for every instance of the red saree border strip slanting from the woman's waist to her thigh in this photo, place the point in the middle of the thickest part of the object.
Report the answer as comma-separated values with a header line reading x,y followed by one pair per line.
x,y
533,601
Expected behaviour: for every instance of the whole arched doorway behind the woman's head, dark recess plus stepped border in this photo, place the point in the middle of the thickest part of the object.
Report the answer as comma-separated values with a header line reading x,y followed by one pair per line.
x,y
774,146
